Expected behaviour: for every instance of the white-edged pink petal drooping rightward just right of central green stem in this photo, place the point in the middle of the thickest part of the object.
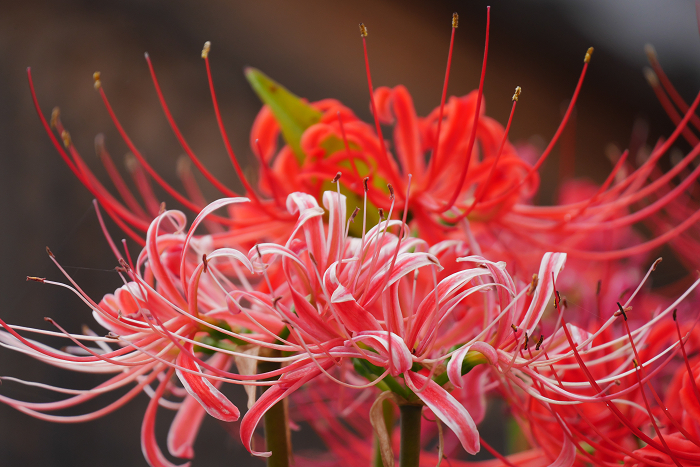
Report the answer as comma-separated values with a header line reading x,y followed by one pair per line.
x,y
447,409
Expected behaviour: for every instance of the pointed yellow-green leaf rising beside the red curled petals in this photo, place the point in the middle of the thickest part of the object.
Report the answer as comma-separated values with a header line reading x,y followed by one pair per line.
x,y
293,115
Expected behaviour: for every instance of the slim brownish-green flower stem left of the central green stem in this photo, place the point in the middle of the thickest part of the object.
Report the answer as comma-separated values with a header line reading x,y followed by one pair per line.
x,y
276,424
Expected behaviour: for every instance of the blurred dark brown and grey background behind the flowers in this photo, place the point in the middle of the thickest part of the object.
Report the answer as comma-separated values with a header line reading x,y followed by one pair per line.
x,y
313,48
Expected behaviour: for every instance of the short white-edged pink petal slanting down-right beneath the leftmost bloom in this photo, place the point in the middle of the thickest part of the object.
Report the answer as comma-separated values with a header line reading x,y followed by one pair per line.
x,y
199,387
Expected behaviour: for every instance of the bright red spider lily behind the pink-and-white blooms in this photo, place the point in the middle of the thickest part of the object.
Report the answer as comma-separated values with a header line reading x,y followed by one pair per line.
x,y
492,191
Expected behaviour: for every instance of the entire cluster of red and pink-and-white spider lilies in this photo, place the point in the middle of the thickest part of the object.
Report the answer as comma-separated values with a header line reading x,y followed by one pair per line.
x,y
432,313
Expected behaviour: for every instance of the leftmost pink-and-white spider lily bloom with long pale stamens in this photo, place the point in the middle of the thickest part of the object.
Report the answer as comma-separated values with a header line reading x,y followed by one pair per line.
x,y
157,322
